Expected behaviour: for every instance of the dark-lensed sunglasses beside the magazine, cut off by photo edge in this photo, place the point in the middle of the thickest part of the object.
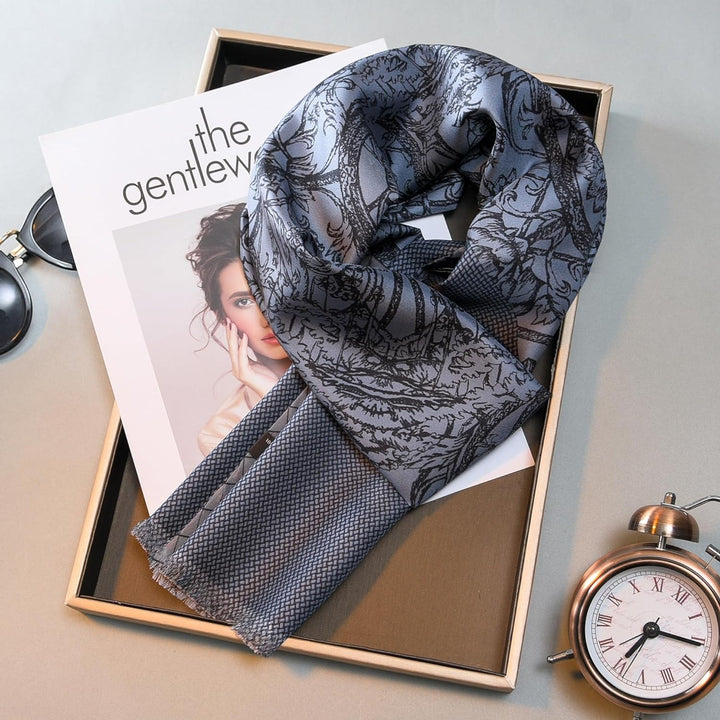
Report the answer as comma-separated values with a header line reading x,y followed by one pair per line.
x,y
43,235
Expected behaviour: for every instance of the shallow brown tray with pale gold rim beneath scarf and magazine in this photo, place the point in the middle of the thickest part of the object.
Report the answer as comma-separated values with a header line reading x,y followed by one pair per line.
x,y
445,594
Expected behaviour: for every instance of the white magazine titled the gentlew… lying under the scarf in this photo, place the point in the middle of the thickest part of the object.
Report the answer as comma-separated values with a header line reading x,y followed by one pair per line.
x,y
150,201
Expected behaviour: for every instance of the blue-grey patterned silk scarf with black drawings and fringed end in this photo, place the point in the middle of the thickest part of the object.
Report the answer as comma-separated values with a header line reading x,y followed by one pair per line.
x,y
412,356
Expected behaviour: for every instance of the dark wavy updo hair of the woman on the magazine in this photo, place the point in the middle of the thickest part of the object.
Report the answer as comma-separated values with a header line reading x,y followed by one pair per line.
x,y
216,248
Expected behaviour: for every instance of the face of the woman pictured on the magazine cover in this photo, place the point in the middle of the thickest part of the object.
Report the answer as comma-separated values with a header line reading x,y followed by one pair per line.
x,y
240,307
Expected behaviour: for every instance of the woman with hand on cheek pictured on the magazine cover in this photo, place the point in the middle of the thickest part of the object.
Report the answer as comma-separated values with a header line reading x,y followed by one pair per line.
x,y
256,357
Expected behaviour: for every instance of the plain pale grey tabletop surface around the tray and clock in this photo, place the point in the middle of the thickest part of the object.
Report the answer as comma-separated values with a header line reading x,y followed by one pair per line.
x,y
639,413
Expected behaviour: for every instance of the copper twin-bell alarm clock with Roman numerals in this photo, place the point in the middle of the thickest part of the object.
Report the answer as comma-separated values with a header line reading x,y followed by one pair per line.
x,y
644,622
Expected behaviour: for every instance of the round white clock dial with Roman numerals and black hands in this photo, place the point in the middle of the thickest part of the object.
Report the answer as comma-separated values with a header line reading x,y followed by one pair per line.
x,y
651,632
